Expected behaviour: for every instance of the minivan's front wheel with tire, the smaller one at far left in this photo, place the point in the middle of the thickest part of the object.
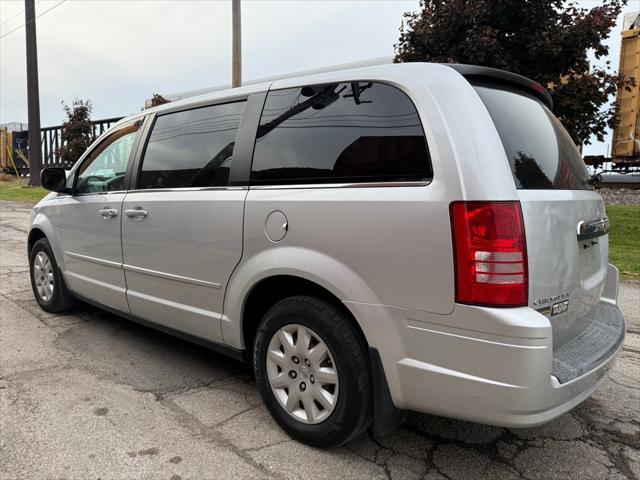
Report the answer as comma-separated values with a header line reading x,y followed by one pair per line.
x,y
46,280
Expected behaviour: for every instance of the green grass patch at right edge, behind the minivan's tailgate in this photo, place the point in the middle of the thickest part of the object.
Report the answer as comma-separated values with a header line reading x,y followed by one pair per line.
x,y
624,239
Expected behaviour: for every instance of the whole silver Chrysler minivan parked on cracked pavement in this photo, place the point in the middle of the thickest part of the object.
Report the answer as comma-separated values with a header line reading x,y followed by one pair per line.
x,y
403,237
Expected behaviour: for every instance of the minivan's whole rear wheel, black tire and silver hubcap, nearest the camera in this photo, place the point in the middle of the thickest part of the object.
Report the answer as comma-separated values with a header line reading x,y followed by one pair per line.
x,y
312,371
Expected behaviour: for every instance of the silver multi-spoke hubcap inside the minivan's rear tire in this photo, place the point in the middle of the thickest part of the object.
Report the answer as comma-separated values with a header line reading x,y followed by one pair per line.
x,y
302,374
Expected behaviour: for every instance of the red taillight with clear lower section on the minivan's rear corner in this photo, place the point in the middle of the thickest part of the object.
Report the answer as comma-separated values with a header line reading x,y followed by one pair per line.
x,y
490,253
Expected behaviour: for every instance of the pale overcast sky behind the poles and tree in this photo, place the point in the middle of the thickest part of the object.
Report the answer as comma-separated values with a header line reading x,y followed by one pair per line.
x,y
118,52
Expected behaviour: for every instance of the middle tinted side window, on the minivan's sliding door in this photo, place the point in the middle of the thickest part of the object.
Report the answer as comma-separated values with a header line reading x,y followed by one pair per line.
x,y
193,148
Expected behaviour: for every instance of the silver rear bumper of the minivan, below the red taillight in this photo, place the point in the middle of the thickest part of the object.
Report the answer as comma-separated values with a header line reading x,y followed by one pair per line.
x,y
499,373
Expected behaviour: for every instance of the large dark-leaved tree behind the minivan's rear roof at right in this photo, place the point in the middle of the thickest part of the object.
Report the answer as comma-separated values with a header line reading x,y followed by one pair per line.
x,y
546,40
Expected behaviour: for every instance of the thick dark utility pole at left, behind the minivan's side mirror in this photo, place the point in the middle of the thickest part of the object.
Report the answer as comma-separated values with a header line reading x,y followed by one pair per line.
x,y
33,94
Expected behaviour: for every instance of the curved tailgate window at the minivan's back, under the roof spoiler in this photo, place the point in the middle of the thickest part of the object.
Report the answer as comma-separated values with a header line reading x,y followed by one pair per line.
x,y
541,153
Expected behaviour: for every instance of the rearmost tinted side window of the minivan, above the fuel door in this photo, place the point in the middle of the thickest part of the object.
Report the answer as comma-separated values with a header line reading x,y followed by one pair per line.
x,y
340,132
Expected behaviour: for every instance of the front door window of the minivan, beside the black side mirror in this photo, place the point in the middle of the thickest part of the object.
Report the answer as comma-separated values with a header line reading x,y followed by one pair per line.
x,y
105,168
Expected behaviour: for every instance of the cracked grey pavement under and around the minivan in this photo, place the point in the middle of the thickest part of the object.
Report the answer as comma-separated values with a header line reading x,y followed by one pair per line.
x,y
89,395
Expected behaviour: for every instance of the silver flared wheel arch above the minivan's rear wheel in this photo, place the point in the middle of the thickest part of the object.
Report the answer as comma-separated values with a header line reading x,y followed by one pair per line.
x,y
305,263
